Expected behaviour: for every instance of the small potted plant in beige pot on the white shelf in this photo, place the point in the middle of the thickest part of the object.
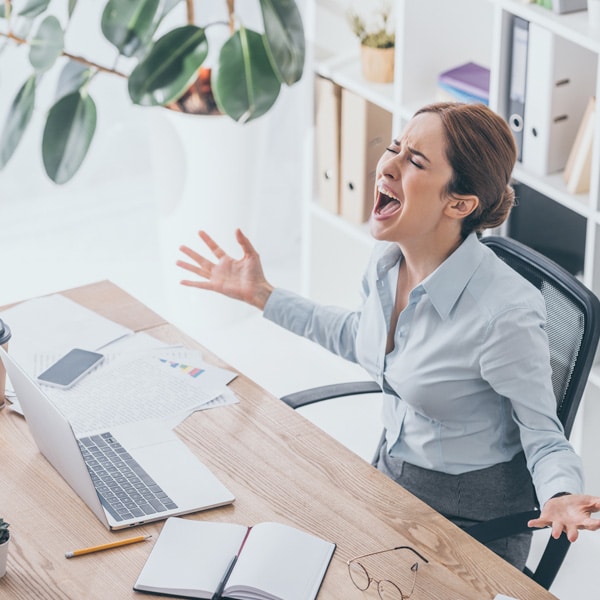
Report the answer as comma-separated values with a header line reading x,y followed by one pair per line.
x,y
373,24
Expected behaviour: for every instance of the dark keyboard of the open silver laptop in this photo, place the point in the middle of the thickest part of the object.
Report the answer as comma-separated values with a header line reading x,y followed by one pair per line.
x,y
124,487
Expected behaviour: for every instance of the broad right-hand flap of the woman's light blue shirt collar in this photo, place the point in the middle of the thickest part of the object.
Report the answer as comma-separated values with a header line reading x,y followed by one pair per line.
x,y
445,285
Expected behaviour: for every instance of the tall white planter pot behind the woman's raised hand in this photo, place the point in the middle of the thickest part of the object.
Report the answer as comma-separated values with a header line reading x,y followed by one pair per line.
x,y
205,174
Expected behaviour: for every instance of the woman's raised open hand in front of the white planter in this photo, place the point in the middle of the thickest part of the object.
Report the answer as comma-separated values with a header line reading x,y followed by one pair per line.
x,y
241,279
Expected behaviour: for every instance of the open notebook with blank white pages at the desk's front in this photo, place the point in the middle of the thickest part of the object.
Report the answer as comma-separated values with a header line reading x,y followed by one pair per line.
x,y
271,561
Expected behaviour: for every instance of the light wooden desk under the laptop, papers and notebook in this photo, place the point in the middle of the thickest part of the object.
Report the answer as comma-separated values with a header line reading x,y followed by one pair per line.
x,y
279,466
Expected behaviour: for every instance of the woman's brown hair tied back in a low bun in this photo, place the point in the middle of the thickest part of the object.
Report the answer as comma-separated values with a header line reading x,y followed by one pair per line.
x,y
481,151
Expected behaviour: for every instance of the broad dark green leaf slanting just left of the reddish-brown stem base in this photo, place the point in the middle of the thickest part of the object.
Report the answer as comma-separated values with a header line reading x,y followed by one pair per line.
x,y
170,67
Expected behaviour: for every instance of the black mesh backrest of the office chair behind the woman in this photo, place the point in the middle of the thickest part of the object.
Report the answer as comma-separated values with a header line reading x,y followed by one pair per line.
x,y
565,324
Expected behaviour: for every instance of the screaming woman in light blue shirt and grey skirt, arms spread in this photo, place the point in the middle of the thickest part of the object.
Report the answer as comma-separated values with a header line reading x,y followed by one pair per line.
x,y
454,337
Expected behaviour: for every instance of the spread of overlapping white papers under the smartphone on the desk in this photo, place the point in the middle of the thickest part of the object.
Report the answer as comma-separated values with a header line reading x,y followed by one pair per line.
x,y
132,384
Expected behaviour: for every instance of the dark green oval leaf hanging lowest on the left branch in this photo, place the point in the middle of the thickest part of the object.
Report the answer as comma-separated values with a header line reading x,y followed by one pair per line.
x,y
67,135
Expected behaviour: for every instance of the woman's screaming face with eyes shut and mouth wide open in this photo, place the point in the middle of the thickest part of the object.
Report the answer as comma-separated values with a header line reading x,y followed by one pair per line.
x,y
410,182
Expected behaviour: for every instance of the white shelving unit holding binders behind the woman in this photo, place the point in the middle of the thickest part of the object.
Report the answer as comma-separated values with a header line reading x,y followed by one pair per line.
x,y
432,36
